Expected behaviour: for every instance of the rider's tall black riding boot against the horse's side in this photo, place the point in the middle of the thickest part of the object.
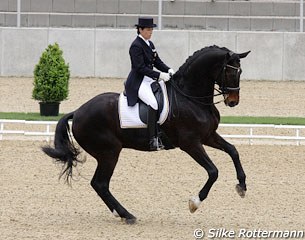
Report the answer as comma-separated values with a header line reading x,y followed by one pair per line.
x,y
155,143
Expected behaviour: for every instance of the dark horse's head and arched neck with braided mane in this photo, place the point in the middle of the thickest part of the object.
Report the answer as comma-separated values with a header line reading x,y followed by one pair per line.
x,y
196,78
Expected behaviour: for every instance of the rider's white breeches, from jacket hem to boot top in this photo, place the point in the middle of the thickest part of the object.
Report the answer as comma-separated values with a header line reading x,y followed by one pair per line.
x,y
145,93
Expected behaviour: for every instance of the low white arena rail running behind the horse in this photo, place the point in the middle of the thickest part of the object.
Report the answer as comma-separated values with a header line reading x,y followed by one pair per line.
x,y
287,134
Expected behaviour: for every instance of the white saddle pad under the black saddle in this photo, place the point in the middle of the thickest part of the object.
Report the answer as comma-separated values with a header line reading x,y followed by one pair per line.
x,y
129,116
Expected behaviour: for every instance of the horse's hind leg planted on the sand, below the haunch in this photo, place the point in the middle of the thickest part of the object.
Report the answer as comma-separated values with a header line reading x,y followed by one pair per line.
x,y
100,183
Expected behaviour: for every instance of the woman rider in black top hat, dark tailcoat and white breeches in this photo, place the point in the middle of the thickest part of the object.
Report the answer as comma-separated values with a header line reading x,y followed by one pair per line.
x,y
144,58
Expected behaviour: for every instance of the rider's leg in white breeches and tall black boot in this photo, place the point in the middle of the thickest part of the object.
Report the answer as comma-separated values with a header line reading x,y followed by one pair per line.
x,y
146,95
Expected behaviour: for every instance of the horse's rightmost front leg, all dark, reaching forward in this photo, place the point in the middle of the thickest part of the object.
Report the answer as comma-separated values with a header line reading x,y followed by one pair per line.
x,y
216,141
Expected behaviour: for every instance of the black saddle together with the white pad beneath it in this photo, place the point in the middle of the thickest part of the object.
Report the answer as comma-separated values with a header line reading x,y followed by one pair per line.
x,y
136,116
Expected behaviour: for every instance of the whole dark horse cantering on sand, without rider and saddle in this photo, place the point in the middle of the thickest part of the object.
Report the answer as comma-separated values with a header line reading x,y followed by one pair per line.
x,y
192,122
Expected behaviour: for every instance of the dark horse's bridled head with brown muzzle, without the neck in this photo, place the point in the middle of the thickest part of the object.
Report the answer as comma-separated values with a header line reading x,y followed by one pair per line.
x,y
229,77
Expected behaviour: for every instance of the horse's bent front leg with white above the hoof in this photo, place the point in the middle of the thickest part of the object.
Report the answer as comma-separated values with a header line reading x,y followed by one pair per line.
x,y
198,153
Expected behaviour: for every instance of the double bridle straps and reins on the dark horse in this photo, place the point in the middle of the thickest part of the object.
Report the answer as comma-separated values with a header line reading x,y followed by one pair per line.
x,y
223,90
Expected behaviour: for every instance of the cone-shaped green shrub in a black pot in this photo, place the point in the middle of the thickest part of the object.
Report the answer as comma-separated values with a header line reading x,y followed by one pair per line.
x,y
51,80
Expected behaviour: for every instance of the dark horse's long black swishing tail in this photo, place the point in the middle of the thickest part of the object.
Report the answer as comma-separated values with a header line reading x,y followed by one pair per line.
x,y
64,150
